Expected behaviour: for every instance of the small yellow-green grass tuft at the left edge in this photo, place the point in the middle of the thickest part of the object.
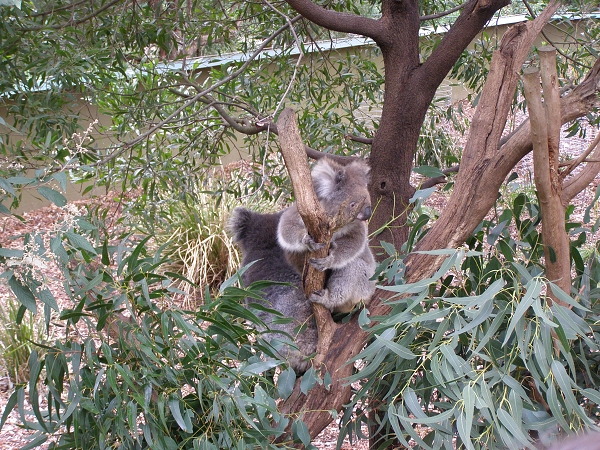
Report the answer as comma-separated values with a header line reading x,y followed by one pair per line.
x,y
20,334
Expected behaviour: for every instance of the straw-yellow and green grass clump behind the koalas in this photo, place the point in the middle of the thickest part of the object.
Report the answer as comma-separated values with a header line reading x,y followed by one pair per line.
x,y
192,232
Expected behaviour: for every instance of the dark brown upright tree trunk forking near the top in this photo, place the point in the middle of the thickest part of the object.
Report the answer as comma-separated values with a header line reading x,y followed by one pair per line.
x,y
410,87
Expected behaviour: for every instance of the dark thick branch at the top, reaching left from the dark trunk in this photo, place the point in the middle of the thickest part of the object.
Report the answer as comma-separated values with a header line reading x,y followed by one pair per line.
x,y
336,21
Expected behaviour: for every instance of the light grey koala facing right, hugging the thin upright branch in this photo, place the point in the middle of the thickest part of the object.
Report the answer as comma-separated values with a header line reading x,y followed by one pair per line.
x,y
350,261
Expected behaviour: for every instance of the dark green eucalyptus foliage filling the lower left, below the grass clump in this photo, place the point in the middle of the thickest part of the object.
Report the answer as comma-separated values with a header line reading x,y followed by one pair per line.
x,y
133,370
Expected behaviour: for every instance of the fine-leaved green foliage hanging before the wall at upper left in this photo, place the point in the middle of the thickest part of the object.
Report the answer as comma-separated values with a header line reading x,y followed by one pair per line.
x,y
134,63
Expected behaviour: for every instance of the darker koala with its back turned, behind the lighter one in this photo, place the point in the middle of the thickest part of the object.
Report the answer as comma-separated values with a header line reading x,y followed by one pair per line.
x,y
256,235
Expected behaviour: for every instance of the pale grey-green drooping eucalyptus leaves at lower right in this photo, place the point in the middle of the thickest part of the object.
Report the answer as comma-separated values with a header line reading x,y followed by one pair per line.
x,y
476,353
